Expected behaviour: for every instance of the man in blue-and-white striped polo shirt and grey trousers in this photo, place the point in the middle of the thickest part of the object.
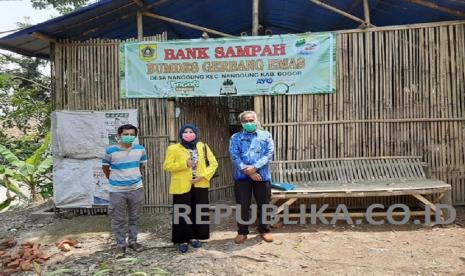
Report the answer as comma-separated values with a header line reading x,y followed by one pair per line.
x,y
121,166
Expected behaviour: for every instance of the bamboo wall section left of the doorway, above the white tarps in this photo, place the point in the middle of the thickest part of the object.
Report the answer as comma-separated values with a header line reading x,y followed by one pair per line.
x,y
86,77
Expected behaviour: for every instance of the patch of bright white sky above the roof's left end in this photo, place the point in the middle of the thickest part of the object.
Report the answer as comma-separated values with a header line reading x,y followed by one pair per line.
x,y
12,11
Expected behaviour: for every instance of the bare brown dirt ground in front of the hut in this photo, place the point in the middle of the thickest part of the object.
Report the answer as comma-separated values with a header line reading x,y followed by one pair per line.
x,y
297,249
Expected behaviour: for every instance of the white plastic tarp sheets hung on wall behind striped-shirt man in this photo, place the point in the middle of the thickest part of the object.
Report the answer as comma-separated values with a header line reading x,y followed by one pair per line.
x,y
79,142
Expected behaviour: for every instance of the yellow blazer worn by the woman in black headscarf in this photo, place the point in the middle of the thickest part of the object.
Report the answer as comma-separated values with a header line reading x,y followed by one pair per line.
x,y
181,175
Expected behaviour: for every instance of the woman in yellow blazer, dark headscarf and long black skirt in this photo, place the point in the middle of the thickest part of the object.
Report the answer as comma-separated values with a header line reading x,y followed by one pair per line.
x,y
192,165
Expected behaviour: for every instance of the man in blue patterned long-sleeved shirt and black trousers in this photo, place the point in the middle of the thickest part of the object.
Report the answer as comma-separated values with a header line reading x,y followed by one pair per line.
x,y
251,152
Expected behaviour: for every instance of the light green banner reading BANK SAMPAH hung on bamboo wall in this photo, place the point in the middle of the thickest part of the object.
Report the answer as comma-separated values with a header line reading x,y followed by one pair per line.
x,y
258,65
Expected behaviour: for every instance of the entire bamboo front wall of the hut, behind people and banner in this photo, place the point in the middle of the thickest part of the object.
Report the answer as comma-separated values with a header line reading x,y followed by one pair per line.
x,y
399,92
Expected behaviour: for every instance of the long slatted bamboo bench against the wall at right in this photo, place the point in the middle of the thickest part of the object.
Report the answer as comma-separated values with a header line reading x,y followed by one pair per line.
x,y
358,177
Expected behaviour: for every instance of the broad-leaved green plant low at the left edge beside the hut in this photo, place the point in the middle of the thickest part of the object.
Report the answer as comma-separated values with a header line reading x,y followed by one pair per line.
x,y
31,173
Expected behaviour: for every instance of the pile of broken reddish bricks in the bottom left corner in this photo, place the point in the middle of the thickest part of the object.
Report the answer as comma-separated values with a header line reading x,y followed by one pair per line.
x,y
22,259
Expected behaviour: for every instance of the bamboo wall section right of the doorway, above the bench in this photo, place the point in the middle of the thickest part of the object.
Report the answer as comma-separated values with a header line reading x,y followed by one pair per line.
x,y
399,93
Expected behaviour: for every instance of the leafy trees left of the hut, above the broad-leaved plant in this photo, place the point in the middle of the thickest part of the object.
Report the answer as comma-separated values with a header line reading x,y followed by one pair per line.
x,y
25,103
